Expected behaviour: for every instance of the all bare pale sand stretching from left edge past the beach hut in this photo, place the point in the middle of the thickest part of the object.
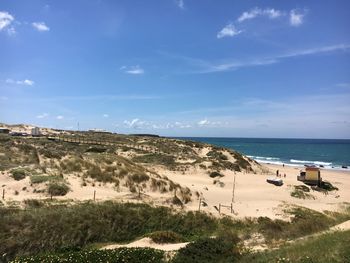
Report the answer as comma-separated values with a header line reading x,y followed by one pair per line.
x,y
253,196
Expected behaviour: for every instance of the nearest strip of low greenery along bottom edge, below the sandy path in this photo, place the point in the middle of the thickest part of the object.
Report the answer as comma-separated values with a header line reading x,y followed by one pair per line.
x,y
332,247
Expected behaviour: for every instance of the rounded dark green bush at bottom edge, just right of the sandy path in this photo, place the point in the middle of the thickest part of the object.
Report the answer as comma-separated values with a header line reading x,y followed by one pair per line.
x,y
208,250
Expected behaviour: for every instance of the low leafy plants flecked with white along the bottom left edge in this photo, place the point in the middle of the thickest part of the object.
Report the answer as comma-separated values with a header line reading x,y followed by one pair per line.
x,y
129,255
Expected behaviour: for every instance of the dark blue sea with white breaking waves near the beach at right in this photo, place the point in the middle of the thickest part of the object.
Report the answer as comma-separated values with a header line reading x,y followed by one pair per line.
x,y
326,152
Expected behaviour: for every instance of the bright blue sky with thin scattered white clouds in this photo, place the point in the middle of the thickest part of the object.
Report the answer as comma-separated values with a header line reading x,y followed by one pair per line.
x,y
178,68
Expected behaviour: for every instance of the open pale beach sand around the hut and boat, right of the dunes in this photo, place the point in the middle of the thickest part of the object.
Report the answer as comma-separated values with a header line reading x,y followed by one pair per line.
x,y
255,197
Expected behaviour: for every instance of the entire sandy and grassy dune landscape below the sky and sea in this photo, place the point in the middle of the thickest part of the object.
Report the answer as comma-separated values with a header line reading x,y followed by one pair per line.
x,y
96,196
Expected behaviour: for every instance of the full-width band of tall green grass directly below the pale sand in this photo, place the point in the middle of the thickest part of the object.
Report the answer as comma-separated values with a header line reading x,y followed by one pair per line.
x,y
57,228
